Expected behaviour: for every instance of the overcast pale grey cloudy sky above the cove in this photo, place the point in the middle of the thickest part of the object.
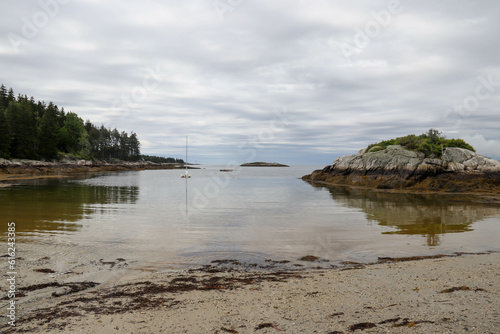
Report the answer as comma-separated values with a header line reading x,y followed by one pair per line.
x,y
289,81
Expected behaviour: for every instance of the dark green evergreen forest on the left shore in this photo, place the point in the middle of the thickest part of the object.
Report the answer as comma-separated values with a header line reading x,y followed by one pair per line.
x,y
32,129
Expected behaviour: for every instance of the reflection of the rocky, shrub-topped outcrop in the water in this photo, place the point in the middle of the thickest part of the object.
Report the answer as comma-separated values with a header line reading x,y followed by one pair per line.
x,y
429,215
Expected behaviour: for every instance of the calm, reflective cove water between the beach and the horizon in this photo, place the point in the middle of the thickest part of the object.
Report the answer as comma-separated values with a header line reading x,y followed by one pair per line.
x,y
251,214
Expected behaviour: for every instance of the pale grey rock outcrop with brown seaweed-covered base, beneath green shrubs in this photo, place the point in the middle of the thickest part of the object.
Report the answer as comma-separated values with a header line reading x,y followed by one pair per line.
x,y
395,167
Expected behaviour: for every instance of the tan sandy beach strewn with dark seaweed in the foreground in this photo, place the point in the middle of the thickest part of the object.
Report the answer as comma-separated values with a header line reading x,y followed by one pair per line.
x,y
441,294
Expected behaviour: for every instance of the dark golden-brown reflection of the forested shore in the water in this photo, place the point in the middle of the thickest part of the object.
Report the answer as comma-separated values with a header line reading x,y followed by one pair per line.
x,y
56,205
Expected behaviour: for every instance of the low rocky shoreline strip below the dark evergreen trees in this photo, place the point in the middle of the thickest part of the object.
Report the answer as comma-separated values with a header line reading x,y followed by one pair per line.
x,y
12,169
